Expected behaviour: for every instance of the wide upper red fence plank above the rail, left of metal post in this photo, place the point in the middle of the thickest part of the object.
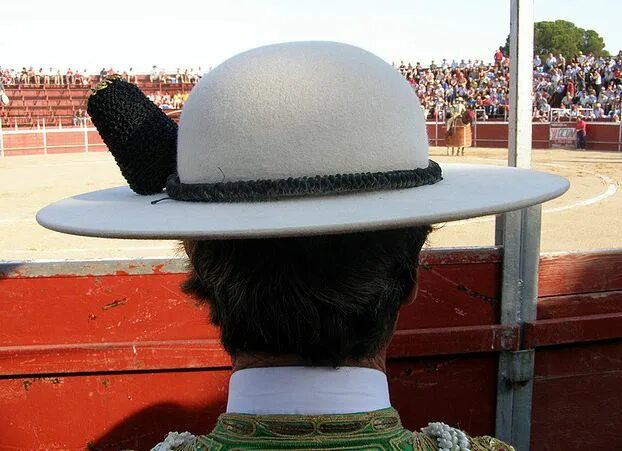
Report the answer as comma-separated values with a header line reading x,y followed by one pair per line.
x,y
151,307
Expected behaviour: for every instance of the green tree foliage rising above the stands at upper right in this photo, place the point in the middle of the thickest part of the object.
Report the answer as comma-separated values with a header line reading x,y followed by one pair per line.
x,y
561,36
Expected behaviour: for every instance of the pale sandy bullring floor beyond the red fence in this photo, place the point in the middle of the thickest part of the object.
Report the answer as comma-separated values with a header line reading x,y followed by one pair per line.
x,y
587,217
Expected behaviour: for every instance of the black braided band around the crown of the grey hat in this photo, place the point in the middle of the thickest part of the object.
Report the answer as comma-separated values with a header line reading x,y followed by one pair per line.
x,y
268,189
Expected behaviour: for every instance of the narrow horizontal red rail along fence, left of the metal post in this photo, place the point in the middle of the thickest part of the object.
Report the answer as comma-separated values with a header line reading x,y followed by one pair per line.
x,y
209,354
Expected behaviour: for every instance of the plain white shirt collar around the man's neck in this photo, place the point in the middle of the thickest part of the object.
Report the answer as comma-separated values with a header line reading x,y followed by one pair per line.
x,y
297,390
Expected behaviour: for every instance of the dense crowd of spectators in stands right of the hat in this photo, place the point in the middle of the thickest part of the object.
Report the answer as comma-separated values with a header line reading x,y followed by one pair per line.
x,y
584,85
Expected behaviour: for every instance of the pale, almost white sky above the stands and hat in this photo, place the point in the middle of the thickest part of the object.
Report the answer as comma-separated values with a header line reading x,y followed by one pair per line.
x,y
203,33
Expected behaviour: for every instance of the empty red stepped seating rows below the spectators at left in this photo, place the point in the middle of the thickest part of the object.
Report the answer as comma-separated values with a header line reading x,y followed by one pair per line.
x,y
56,105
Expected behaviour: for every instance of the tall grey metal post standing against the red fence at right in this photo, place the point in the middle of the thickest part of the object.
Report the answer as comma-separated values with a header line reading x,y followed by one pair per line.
x,y
519,233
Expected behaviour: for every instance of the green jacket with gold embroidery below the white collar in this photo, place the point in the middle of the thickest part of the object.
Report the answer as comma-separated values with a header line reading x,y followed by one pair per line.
x,y
373,431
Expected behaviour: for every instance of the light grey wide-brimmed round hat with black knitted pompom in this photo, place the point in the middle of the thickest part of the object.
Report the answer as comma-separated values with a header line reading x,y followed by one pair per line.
x,y
283,140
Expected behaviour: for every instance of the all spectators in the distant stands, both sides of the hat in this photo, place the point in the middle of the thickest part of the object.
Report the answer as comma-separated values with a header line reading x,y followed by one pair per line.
x,y
584,85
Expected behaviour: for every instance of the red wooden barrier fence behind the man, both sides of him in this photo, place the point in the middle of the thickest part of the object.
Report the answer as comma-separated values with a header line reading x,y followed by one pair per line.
x,y
111,355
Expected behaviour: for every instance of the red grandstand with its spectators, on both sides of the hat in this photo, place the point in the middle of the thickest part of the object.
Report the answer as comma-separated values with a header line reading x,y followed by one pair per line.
x,y
563,89
